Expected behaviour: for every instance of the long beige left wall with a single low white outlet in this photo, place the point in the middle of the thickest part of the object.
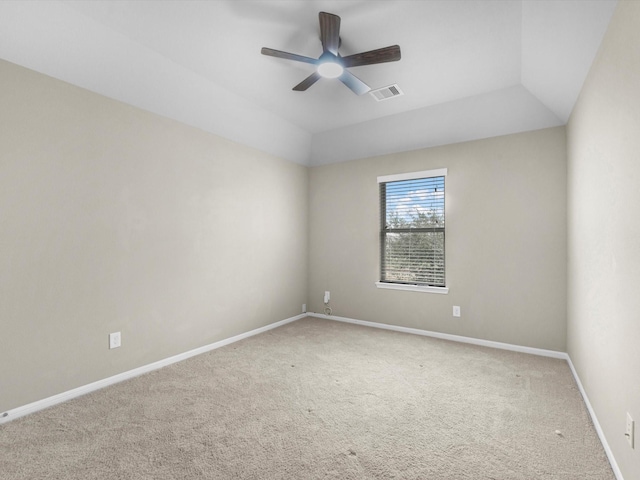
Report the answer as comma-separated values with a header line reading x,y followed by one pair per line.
x,y
114,219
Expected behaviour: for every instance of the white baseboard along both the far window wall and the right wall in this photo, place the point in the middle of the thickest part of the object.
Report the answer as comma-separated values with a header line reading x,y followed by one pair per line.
x,y
502,346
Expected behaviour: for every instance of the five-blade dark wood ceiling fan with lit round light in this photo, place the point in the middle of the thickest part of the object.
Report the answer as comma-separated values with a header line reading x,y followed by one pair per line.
x,y
331,64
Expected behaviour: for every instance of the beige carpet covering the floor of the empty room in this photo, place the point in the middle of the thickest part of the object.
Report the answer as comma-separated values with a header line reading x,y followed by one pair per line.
x,y
321,399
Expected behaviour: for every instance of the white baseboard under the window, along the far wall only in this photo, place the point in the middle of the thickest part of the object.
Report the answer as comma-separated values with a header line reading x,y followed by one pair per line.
x,y
447,336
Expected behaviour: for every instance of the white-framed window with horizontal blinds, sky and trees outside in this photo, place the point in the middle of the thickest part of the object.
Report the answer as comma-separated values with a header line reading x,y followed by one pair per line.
x,y
412,231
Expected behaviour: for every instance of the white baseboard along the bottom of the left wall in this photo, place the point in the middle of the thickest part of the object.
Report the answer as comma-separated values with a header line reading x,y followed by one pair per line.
x,y
91,387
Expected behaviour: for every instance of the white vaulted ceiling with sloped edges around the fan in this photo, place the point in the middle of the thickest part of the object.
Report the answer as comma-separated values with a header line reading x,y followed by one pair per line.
x,y
470,68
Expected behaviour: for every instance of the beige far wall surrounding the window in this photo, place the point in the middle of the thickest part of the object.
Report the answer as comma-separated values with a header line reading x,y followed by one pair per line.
x,y
505,240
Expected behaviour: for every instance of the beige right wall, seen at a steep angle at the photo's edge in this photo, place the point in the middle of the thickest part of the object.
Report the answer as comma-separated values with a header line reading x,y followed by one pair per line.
x,y
603,137
